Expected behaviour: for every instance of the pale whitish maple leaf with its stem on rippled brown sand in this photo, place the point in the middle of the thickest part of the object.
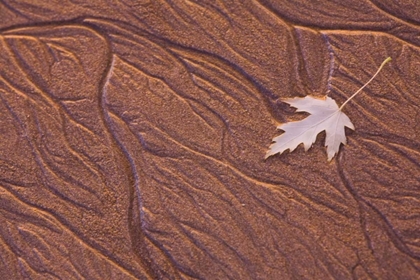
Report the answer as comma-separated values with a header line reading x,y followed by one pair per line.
x,y
324,115
